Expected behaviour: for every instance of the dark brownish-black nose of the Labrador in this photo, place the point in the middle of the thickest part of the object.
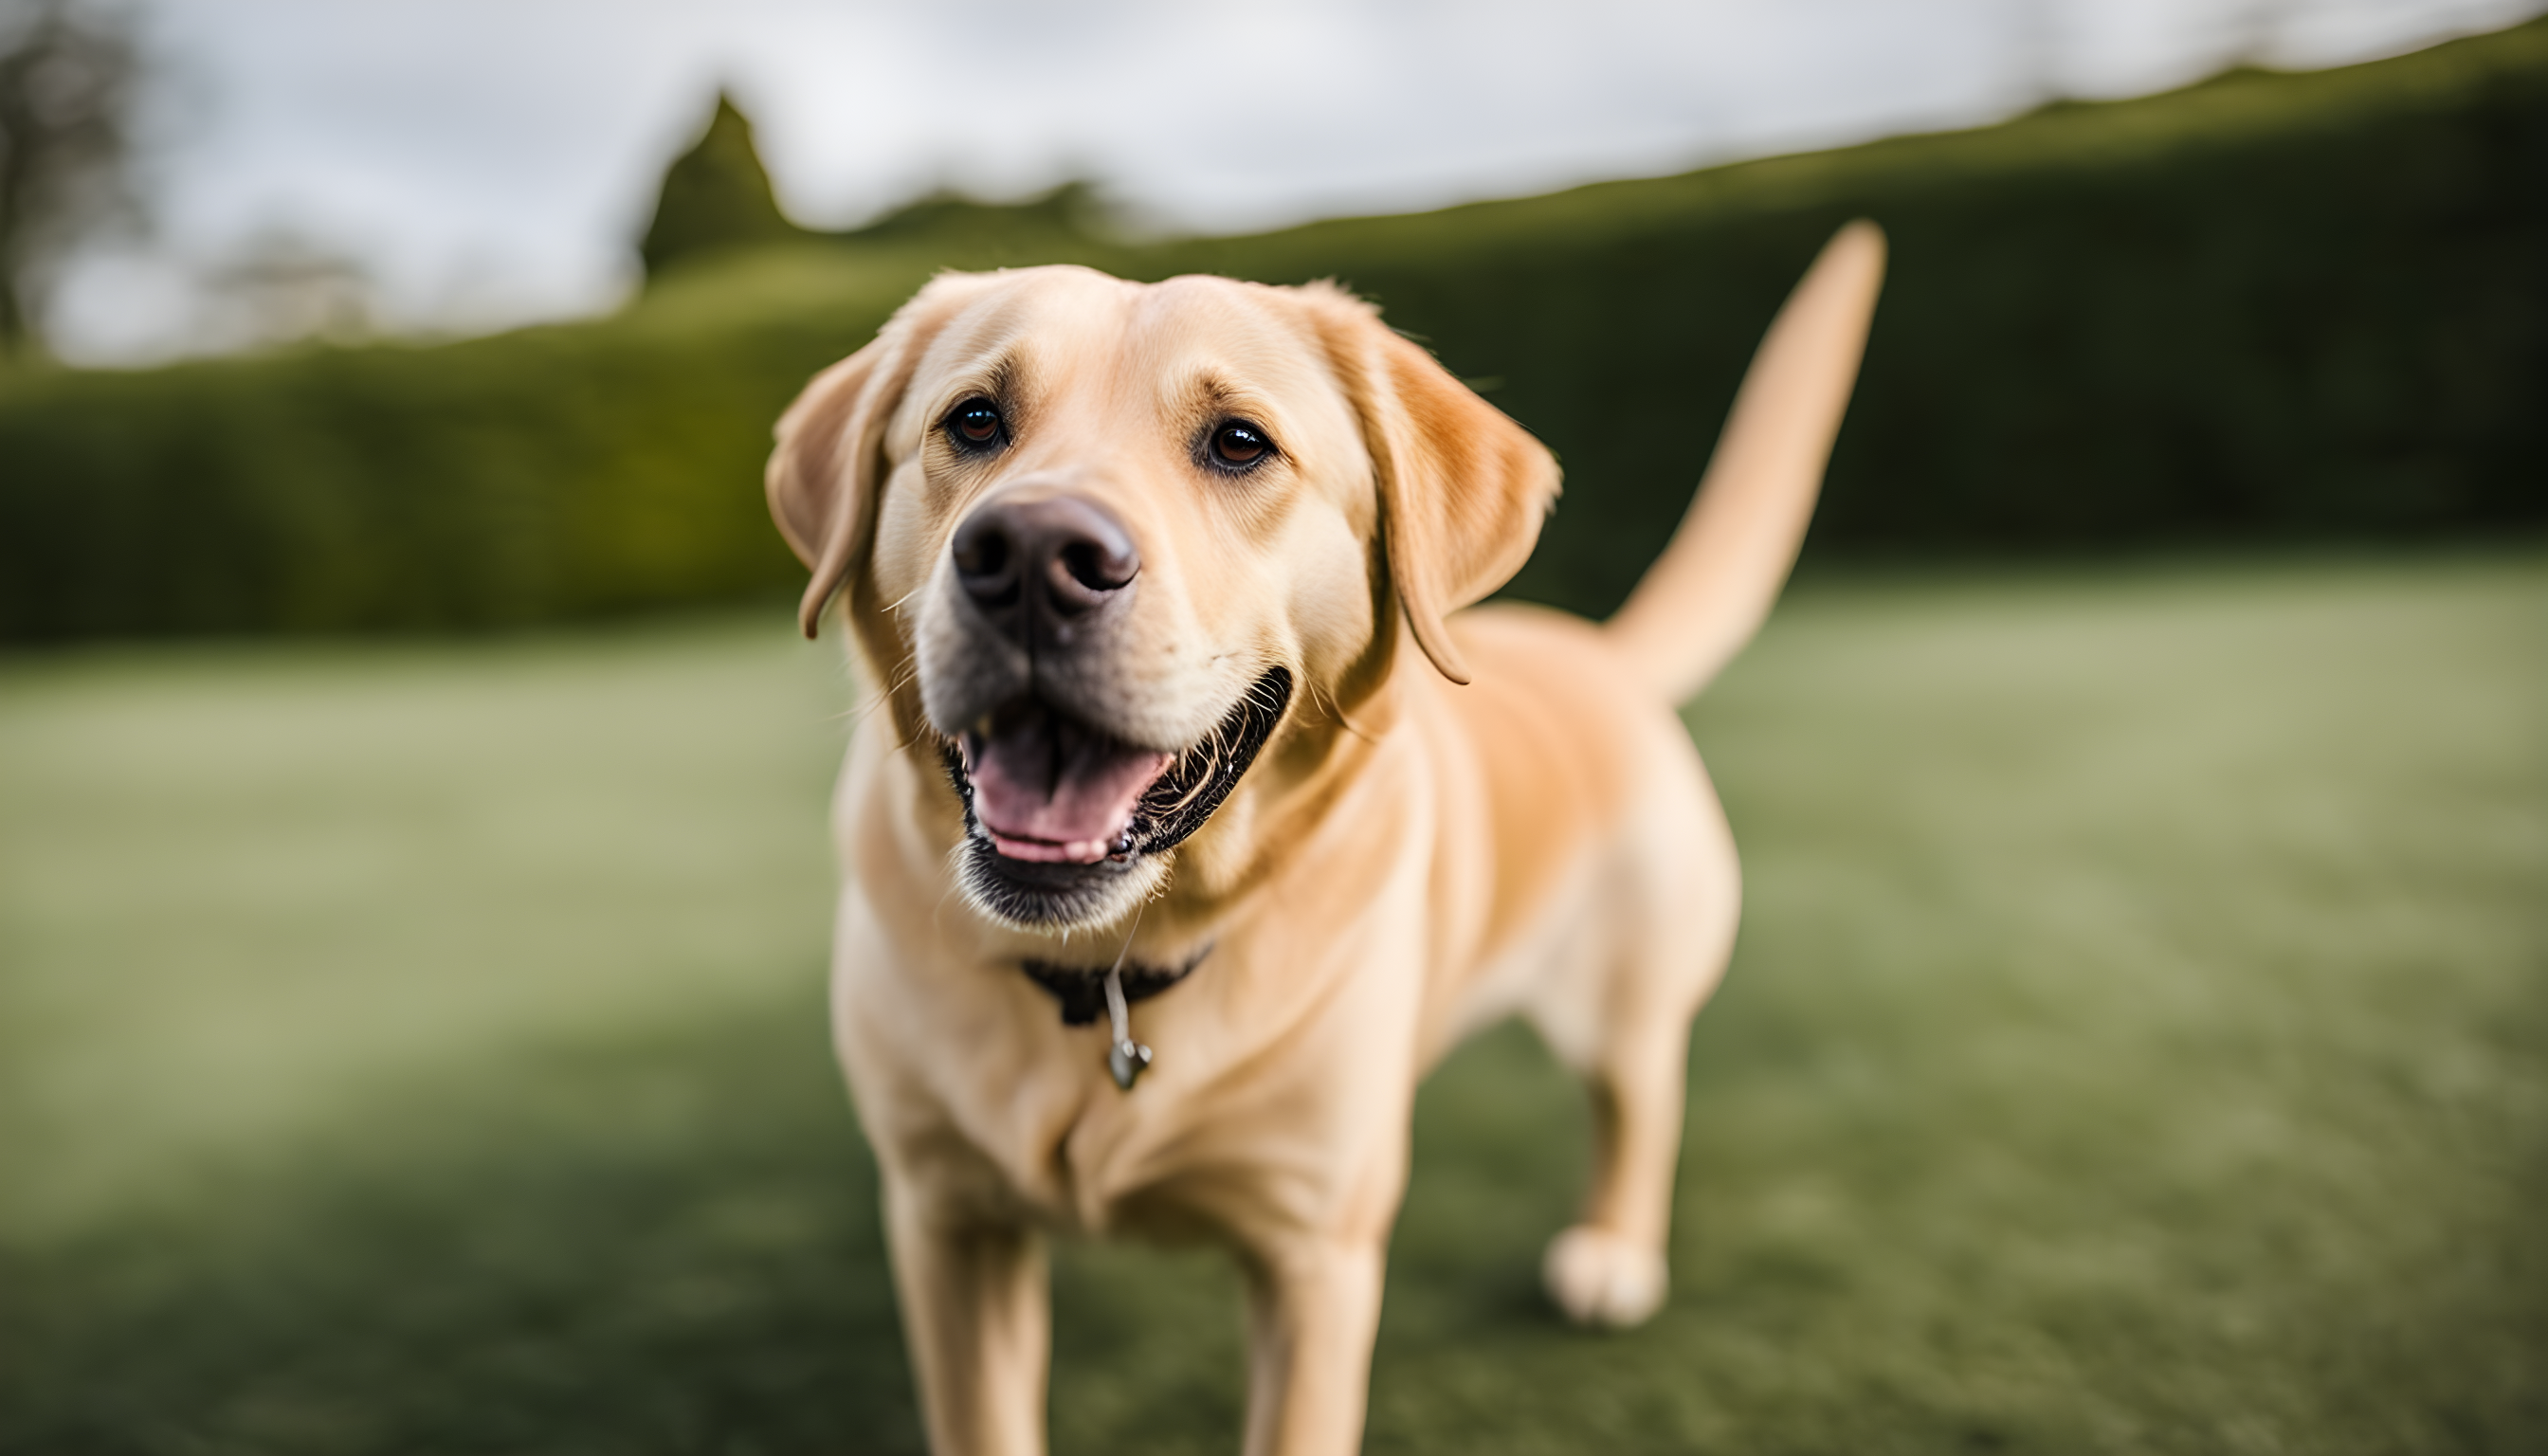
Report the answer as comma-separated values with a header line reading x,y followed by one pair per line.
x,y
1038,567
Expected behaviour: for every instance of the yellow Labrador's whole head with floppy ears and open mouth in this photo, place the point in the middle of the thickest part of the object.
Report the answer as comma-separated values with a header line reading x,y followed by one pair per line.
x,y
1105,542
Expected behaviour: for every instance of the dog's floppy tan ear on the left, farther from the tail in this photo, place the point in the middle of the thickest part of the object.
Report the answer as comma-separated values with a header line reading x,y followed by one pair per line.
x,y
829,460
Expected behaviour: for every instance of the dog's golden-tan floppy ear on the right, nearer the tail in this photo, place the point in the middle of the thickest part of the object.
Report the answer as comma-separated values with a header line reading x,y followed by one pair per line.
x,y
1464,488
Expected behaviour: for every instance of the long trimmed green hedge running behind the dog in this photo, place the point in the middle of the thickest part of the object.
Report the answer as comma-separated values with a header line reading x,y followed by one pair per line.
x,y
2259,310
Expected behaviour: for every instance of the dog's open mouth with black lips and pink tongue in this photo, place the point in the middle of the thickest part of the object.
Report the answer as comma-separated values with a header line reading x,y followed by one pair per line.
x,y
1059,802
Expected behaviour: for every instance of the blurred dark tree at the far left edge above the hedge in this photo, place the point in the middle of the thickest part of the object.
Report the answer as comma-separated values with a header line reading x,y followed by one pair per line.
x,y
65,96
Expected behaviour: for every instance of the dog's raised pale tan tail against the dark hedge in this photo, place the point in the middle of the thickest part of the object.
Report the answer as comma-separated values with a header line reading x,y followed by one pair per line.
x,y
1706,598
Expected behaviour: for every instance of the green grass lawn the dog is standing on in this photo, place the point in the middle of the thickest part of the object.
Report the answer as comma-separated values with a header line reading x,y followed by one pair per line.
x,y
2139,1042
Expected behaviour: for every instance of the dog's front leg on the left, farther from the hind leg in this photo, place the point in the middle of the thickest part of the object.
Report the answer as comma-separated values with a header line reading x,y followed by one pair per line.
x,y
977,1314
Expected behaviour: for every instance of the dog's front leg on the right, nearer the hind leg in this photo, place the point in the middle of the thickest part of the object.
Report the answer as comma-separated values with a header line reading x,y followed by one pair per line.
x,y
1313,1309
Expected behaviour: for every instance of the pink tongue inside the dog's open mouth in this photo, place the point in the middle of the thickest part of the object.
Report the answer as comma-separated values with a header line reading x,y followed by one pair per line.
x,y
1056,792
